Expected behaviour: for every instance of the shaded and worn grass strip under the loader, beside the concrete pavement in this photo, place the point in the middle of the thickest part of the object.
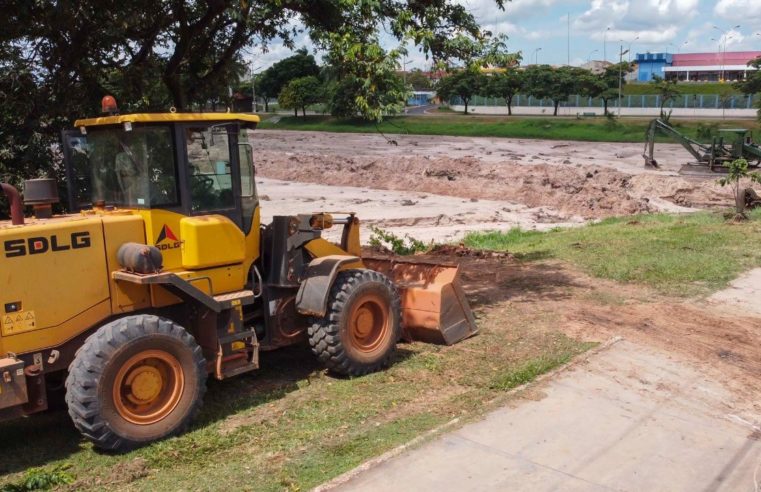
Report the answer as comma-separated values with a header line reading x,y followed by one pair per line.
x,y
290,426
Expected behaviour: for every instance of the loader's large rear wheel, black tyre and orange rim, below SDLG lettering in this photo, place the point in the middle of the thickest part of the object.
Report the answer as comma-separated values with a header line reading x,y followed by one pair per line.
x,y
136,380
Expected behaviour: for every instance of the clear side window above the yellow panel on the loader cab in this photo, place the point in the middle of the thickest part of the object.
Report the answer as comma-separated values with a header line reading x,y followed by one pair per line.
x,y
211,182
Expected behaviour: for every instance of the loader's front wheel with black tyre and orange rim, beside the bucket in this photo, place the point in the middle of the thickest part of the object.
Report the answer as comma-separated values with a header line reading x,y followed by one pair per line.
x,y
359,332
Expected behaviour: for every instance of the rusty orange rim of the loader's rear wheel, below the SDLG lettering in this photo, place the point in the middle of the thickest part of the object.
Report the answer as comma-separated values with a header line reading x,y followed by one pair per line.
x,y
148,387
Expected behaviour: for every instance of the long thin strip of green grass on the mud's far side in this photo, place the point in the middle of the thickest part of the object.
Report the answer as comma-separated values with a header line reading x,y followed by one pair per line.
x,y
594,130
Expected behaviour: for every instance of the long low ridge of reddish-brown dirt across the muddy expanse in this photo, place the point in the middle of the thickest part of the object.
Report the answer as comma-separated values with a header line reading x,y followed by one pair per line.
x,y
584,190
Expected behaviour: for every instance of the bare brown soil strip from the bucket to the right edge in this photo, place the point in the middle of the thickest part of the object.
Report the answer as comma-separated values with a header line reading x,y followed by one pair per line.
x,y
721,344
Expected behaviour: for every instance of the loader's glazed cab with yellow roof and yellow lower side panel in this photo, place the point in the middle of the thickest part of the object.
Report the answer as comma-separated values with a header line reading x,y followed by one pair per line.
x,y
189,175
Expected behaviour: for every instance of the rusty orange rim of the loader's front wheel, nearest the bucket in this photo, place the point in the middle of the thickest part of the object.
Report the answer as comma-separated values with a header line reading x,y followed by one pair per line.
x,y
369,323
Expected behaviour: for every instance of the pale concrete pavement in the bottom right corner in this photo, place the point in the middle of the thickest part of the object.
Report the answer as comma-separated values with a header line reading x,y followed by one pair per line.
x,y
630,418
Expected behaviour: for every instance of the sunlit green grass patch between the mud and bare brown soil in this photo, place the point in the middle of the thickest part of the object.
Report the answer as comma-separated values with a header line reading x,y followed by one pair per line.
x,y
686,255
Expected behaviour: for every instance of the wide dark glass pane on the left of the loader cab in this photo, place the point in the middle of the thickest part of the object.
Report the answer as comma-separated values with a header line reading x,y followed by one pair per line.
x,y
124,168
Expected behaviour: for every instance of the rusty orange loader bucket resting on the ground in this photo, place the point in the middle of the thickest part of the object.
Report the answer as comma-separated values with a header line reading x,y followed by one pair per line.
x,y
434,307
